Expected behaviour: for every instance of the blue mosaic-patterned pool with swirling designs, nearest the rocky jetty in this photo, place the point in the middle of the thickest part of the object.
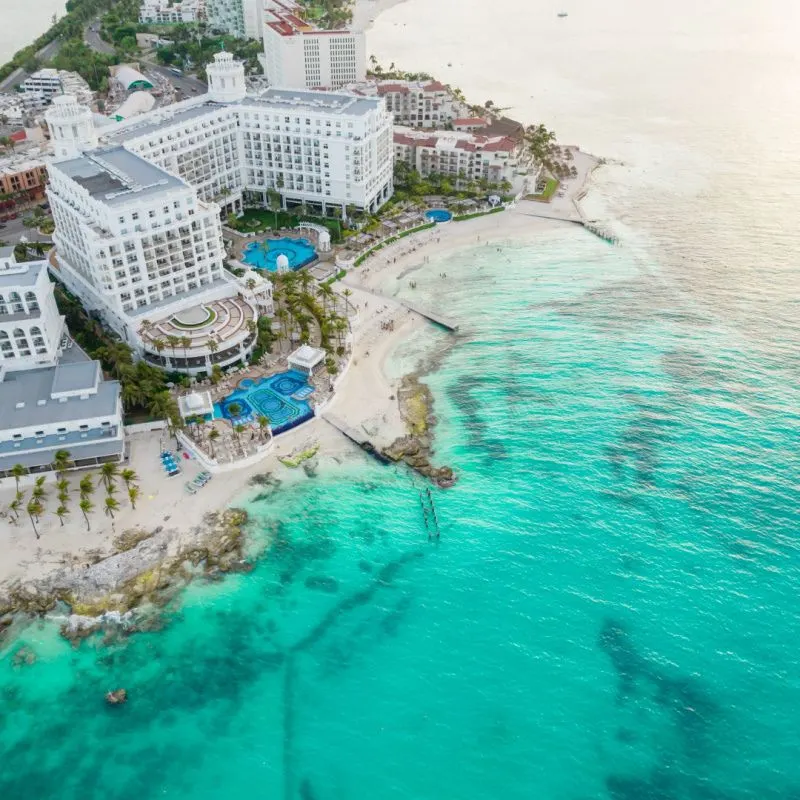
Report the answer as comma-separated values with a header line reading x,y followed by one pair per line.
x,y
281,398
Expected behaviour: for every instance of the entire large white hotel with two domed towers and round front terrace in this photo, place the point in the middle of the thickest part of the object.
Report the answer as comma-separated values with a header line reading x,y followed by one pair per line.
x,y
137,210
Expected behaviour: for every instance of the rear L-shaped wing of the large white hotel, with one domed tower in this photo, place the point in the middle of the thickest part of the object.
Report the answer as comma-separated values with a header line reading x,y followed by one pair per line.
x,y
327,150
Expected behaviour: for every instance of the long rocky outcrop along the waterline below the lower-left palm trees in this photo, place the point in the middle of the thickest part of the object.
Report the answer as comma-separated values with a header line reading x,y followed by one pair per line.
x,y
124,591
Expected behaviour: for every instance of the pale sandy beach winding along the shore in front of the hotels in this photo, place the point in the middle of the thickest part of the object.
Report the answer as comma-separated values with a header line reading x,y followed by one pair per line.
x,y
365,399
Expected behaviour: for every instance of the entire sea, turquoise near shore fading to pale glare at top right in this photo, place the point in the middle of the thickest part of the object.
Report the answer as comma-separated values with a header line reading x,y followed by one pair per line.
x,y
611,610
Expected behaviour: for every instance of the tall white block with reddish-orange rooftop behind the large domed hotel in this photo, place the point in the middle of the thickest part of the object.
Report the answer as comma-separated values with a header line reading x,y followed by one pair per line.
x,y
296,53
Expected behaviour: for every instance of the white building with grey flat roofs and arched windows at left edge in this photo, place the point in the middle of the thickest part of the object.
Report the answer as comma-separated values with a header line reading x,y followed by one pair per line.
x,y
52,397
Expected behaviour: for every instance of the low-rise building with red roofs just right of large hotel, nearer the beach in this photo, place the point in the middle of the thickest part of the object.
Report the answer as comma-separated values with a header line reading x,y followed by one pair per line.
x,y
459,155
